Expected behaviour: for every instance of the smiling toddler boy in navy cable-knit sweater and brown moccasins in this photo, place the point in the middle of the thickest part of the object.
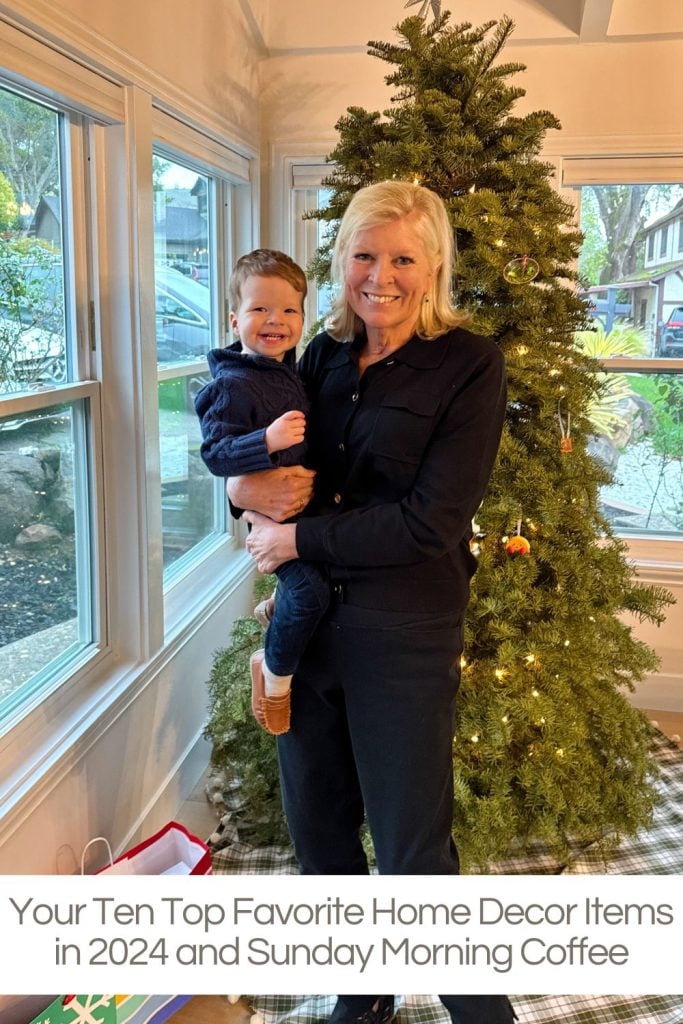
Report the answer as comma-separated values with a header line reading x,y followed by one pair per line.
x,y
253,417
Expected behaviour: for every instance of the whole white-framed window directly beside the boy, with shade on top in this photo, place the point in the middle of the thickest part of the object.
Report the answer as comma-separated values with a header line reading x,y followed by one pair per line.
x,y
201,219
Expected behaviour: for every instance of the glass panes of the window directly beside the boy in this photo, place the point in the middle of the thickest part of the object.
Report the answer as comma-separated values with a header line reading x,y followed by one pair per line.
x,y
185,261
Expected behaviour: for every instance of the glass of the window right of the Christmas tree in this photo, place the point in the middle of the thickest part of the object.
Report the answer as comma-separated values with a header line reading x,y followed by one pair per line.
x,y
635,284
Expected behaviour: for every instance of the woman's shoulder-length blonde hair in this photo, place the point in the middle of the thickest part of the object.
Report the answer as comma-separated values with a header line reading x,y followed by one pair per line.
x,y
380,204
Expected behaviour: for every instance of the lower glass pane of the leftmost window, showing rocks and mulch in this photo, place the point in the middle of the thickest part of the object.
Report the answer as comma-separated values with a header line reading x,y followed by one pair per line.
x,y
45,550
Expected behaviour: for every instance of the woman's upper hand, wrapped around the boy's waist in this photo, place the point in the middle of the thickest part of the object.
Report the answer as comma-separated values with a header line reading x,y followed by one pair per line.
x,y
279,494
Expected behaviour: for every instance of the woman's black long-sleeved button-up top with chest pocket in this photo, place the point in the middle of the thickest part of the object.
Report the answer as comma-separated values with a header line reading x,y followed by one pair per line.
x,y
404,455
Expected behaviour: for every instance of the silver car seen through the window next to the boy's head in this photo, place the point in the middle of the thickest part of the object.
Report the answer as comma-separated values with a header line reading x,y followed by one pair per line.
x,y
184,317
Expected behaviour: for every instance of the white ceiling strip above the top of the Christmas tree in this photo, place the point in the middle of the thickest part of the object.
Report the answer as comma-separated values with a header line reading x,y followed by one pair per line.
x,y
291,27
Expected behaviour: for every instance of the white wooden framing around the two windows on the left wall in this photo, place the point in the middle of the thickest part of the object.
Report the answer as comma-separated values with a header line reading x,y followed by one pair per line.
x,y
78,705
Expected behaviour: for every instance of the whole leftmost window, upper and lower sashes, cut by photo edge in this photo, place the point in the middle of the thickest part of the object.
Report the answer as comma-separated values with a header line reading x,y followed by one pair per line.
x,y
48,424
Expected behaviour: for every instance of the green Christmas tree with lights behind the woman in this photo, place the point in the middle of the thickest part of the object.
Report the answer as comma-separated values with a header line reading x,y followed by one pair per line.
x,y
548,747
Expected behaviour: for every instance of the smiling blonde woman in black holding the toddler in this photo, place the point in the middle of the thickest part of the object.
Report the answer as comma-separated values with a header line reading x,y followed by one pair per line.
x,y
407,411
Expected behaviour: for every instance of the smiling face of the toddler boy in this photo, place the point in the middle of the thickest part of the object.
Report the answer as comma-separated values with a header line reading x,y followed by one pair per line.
x,y
270,319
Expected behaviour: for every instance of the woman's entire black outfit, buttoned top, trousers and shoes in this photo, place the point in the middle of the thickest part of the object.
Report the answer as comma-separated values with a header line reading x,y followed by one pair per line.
x,y
403,455
